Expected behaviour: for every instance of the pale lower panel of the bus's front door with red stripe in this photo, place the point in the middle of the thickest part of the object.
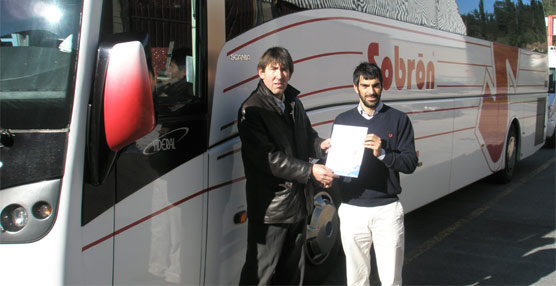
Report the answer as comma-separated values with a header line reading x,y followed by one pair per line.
x,y
159,229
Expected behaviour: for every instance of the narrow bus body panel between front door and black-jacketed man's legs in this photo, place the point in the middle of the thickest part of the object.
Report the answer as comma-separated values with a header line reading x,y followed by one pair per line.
x,y
226,231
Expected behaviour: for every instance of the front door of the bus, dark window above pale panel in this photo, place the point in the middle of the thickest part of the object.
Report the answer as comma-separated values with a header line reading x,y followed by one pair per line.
x,y
160,179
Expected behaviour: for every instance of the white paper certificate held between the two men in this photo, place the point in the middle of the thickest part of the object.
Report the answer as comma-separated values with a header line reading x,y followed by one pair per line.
x,y
346,150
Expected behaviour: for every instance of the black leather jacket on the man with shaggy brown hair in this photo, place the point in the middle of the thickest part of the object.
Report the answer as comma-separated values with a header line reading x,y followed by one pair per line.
x,y
276,151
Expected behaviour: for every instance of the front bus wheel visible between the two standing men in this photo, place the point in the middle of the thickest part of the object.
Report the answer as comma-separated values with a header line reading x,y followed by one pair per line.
x,y
323,236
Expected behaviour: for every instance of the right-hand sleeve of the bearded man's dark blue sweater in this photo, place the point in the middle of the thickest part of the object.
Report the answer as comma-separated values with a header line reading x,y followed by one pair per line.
x,y
402,157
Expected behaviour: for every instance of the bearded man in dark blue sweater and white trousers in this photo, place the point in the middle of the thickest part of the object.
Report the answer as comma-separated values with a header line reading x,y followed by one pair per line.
x,y
370,211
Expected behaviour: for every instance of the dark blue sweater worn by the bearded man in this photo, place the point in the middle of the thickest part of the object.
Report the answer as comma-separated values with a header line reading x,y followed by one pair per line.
x,y
379,181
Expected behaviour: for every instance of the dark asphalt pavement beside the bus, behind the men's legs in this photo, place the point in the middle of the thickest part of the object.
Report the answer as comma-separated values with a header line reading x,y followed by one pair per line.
x,y
484,234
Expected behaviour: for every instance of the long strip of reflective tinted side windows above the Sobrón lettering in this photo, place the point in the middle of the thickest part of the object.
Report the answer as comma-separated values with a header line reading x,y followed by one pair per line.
x,y
517,23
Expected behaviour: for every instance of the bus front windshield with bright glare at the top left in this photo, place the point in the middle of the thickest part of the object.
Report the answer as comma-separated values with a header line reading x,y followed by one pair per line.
x,y
37,54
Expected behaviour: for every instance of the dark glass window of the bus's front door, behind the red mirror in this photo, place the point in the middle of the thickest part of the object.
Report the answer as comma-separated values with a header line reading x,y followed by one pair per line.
x,y
170,29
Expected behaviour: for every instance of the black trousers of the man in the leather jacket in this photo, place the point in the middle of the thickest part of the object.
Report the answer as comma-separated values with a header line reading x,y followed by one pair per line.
x,y
275,254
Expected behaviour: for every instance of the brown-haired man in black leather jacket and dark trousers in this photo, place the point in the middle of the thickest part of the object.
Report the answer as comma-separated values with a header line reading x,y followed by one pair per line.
x,y
277,143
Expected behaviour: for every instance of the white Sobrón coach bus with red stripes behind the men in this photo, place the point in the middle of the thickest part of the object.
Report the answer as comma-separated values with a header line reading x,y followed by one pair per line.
x,y
108,179
